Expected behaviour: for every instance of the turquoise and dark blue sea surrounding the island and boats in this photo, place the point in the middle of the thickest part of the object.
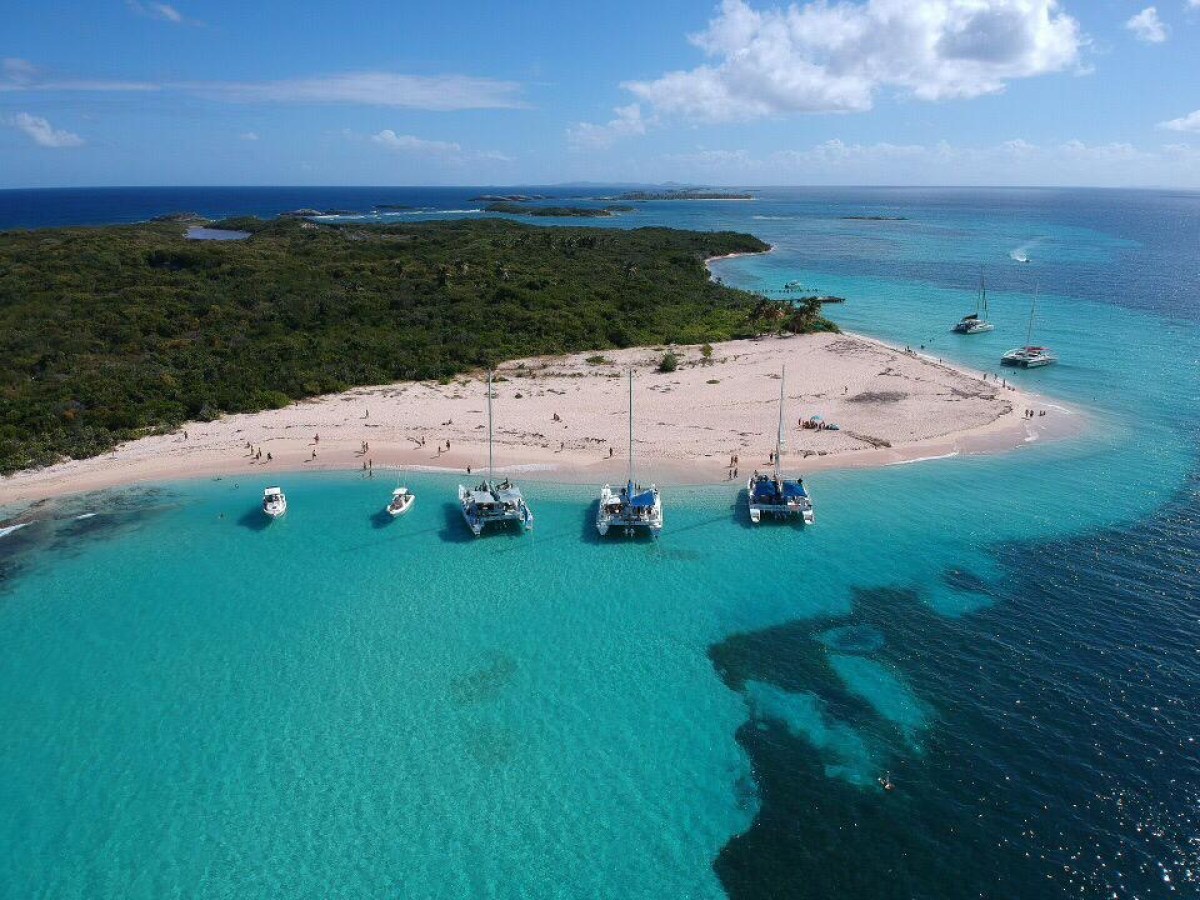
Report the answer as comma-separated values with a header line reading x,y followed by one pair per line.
x,y
341,705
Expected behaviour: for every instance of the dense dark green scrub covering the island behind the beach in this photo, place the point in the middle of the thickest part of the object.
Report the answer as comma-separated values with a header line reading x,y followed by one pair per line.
x,y
109,334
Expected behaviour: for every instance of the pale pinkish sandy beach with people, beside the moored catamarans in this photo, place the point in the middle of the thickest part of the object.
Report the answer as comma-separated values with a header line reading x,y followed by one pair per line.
x,y
565,419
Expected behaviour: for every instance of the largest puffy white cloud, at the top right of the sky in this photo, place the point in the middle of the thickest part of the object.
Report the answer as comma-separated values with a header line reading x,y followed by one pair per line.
x,y
835,58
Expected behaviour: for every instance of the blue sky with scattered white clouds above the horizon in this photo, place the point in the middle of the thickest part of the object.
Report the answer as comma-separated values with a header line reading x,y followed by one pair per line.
x,y
737,93
